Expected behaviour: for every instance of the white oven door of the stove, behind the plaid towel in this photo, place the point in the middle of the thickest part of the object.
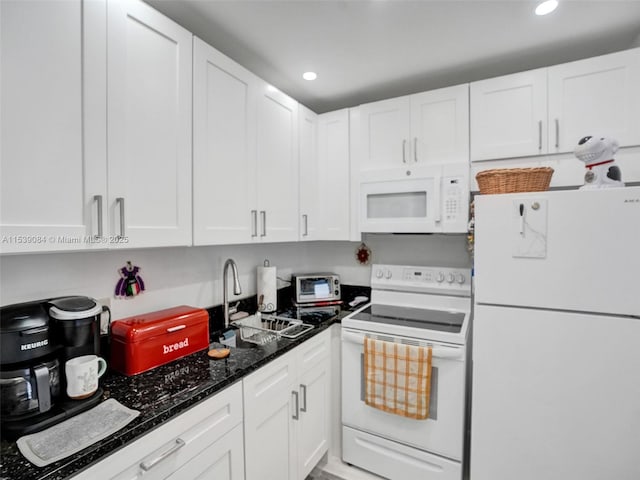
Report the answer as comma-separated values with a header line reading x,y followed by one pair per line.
x,y
442,432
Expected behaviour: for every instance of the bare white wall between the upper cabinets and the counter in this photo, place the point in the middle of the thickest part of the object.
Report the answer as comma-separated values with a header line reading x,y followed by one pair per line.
x,y
193,275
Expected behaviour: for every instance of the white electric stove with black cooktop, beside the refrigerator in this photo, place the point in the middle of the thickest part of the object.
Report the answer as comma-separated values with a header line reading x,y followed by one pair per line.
x,y
418,306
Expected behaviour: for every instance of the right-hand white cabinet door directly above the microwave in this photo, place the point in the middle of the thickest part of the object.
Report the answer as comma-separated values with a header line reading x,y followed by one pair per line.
x,y
440,126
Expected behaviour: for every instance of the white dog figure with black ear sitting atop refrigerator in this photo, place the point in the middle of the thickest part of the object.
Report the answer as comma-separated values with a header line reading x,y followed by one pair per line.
x,y
597,155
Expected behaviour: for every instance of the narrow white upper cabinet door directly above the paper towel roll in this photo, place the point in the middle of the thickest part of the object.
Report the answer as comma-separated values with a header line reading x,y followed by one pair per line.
x,y
277,166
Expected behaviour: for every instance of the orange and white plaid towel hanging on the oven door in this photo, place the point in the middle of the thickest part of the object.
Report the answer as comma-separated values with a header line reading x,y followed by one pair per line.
x,y
397,378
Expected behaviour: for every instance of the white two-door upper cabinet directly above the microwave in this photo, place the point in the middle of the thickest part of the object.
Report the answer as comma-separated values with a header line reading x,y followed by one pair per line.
x,y
426,128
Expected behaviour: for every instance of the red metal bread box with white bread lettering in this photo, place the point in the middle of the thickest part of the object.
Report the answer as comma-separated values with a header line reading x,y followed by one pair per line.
x,y
146,341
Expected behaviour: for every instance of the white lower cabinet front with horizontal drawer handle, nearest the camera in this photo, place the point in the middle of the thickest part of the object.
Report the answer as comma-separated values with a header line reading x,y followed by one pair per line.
x,y
204,442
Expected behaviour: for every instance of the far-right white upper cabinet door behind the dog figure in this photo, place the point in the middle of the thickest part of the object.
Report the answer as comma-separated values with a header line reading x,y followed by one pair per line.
x,y
597,96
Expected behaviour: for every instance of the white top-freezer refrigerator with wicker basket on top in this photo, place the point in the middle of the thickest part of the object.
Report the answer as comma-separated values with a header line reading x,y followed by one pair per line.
x,y
556,336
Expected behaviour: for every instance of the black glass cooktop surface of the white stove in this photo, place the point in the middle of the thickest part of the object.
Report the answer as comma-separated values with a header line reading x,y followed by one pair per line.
x,y
438,320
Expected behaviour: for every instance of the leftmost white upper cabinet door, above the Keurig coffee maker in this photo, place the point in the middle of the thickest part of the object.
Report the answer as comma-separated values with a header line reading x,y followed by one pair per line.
x,y
53,180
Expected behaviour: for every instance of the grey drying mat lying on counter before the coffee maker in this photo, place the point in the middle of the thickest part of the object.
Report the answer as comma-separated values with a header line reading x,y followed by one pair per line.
x,y
76,433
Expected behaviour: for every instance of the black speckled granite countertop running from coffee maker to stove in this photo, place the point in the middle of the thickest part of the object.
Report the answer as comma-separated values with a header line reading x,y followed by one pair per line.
x,y
159,395
